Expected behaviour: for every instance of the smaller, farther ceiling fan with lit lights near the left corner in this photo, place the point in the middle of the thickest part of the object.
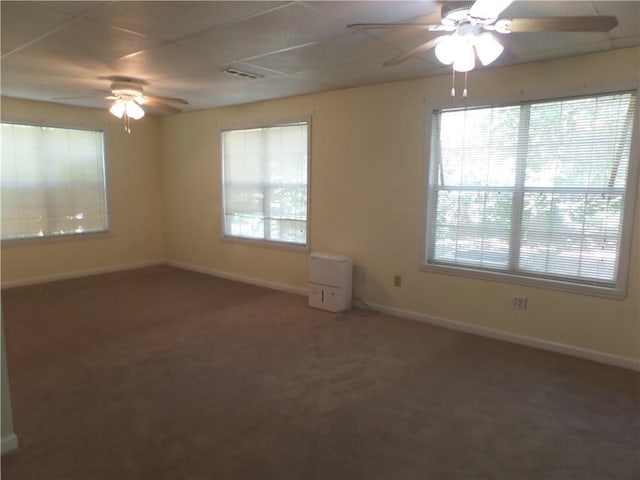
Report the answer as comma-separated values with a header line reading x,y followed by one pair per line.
x,y
128,98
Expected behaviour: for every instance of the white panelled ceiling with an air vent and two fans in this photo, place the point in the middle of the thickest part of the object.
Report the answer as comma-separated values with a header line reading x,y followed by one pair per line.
x,y
65,52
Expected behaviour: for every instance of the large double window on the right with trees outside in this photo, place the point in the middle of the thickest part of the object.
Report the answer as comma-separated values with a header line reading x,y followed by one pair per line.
x,y
534,191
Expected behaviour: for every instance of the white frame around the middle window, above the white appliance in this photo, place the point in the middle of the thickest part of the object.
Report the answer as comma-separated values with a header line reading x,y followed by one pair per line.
x,y
263,242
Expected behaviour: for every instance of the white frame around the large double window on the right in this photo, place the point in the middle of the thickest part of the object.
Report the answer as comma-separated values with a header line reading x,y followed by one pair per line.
x,y
429,210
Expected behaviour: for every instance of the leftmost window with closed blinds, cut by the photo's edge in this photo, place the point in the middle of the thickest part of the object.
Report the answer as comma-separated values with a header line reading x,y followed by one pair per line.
x,y
53,182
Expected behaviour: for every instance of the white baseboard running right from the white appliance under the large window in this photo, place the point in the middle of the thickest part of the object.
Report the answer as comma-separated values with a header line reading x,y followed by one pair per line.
x,y
615,360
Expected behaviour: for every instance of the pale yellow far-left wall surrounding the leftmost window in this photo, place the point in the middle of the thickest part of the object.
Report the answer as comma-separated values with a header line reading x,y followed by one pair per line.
x,y
135,205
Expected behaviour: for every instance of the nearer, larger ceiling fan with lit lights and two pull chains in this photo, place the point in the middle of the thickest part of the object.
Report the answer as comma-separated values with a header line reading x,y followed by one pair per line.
x,y
471,27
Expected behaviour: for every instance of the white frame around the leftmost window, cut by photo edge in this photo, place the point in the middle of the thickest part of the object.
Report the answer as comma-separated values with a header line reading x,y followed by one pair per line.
x,y
91,127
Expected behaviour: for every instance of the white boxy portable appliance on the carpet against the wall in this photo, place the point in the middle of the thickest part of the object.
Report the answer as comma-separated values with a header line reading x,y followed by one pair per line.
x,y
330,282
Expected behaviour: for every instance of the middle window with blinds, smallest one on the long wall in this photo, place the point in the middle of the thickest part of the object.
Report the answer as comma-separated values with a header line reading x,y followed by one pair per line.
x,y
265,183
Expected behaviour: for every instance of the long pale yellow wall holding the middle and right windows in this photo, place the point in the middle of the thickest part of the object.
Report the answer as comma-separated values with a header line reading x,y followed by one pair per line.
x,y
367,196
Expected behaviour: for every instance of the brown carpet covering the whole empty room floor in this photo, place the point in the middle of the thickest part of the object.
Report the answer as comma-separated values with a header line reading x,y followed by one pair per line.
x,y
161,373
